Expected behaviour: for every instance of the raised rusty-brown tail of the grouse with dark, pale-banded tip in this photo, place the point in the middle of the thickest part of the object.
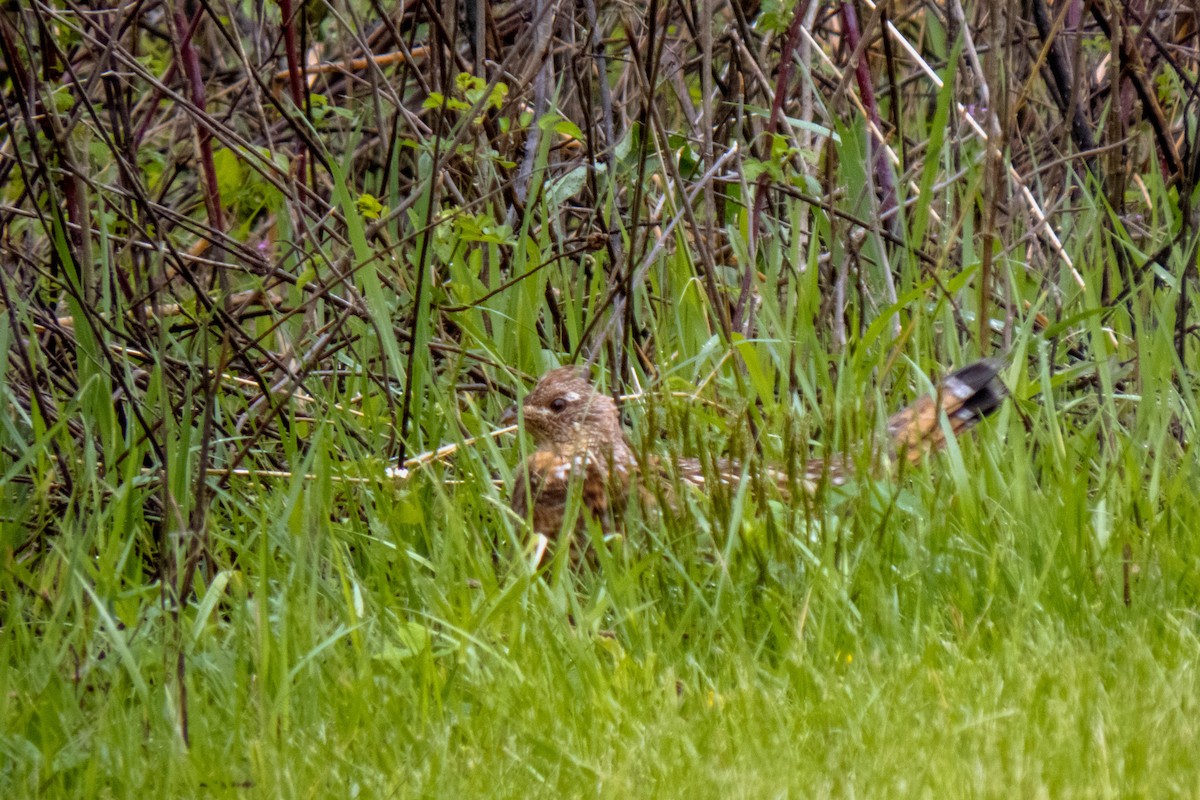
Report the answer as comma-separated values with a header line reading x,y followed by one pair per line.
x,y
965,398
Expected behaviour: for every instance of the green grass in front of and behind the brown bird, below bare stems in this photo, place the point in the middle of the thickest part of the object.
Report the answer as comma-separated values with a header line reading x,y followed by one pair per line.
x,y
959,631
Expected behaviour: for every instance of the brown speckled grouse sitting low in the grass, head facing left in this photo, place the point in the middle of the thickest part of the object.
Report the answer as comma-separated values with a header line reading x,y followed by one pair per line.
x,y
579,438
